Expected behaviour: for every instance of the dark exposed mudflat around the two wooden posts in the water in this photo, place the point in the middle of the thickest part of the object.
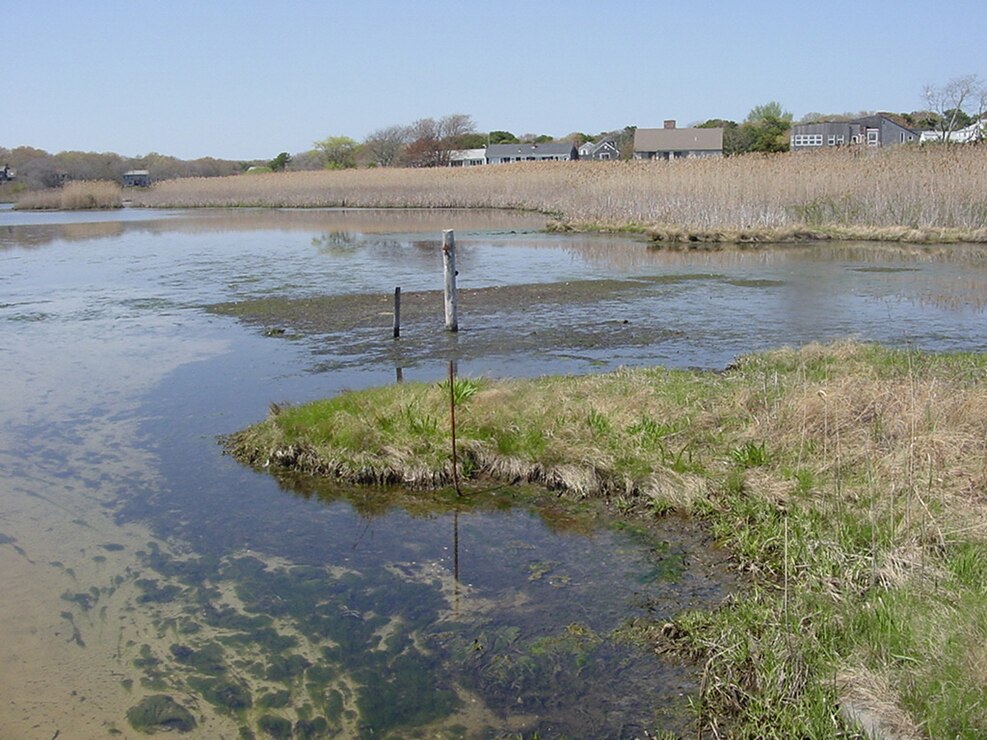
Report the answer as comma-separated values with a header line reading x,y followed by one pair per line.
x,y
575,316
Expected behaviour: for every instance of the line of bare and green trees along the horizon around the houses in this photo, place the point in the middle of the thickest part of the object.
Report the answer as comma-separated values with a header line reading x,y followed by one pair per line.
x,y
428,142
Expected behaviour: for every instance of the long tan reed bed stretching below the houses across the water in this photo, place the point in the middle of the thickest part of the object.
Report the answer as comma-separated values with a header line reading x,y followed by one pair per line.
x,y
904,194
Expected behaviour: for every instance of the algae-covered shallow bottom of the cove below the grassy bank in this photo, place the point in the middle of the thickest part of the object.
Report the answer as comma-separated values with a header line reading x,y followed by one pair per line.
x,y
391,614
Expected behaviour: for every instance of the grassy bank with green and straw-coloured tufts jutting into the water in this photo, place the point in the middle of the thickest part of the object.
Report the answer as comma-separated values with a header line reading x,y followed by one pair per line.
x,y
849,482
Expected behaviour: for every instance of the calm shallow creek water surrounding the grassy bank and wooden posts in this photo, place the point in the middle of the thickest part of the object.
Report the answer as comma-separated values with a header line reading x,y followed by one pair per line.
x,y
137,561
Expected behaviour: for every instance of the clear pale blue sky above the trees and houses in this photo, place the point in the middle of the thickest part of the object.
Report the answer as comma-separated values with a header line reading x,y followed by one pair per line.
x,y
247,79
